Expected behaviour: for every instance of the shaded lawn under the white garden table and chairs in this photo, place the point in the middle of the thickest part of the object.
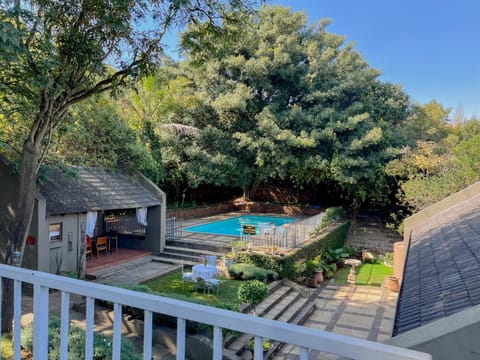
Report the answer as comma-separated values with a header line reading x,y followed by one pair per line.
x,y
170,285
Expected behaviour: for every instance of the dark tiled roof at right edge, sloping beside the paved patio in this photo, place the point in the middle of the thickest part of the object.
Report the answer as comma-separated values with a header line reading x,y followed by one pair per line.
x,y
442,272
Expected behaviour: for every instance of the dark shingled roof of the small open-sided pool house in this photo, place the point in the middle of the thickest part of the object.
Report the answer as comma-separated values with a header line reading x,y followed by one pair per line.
x,y
92,190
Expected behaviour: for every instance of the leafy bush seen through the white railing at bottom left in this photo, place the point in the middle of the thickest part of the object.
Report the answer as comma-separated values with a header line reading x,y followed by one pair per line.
x,y
102,345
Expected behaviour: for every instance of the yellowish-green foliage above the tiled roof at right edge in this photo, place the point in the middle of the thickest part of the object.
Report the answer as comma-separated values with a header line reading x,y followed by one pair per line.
x,y
439,165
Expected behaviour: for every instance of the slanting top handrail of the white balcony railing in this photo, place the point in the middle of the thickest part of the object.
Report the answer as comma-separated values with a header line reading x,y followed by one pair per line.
x,y
275,330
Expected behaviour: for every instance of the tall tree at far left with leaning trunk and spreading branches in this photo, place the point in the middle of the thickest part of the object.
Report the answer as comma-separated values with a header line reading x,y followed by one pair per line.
x,y
55,54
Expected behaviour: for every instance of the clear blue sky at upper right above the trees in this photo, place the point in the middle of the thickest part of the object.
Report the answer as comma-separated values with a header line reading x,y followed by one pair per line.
x,y
430,47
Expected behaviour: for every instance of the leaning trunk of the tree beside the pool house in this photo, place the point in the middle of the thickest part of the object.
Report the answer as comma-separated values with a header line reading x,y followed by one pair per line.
x,y
21,221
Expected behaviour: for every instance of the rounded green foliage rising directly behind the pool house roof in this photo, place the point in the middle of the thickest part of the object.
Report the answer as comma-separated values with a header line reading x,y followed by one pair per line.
x,y
96,136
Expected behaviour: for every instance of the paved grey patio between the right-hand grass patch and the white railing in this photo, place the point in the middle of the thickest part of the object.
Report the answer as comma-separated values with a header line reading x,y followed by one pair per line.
x,y
361,311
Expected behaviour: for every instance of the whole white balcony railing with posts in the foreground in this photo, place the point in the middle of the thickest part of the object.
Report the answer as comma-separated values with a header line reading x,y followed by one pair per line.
x,y
306,338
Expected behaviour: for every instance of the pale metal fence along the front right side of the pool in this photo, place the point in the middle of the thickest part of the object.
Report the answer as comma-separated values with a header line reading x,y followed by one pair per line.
x,y
285,236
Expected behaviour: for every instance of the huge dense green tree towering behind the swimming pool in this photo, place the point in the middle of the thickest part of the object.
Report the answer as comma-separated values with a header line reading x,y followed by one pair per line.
x,y
291,101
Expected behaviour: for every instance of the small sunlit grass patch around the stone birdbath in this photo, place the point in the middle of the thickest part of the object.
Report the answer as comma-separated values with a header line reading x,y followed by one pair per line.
x,y
367,274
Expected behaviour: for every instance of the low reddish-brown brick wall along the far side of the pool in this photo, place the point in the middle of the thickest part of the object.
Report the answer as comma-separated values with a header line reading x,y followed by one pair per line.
x,y
243,206
